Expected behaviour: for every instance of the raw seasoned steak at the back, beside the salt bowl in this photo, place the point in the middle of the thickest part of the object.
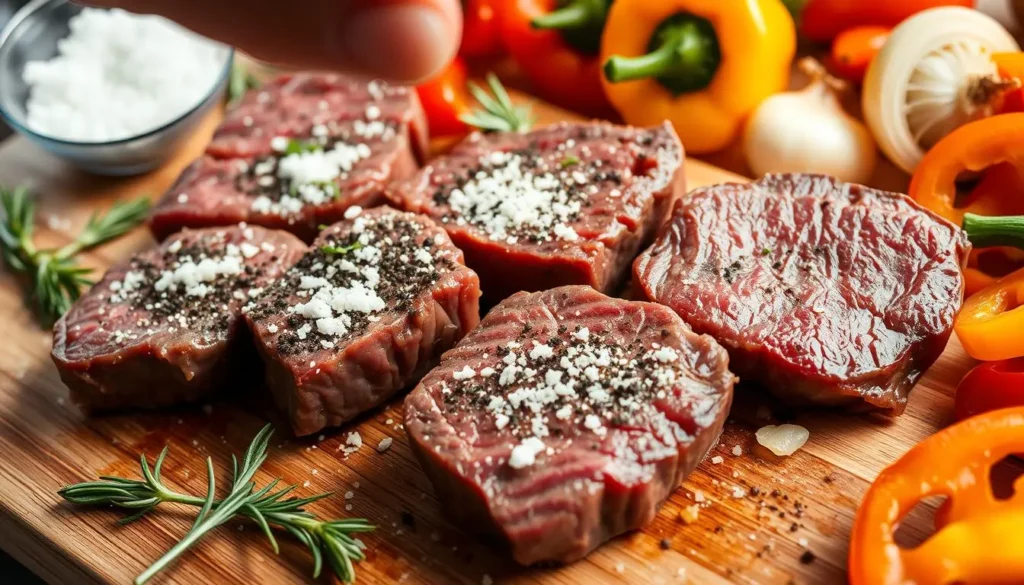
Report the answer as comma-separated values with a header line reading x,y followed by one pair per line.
x,y
296,154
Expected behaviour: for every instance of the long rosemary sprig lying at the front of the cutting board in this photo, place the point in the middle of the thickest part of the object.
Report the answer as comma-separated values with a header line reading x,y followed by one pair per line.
x,y
326,539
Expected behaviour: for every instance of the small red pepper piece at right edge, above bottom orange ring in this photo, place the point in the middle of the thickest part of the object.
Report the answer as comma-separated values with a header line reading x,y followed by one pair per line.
x,y
991,387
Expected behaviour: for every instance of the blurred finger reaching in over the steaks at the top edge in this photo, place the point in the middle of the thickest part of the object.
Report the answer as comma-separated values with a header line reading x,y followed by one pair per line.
x,y
400,40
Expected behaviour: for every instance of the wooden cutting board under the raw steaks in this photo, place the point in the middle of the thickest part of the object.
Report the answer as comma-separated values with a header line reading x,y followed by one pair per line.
x,y
758,517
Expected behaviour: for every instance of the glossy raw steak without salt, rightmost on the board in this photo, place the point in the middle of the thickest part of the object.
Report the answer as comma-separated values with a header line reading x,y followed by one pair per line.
x,y
823,291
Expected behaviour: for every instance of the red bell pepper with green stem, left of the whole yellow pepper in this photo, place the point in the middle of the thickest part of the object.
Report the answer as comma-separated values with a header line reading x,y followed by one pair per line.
x,y
557,47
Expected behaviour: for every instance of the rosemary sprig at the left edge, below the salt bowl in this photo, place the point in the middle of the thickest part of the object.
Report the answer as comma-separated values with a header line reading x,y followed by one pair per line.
x,y
55,279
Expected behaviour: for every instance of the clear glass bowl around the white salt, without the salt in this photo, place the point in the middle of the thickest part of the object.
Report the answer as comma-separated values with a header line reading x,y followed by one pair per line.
x,y
32,35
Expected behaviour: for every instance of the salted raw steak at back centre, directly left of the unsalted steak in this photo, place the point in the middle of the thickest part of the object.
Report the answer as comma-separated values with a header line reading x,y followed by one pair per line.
x,y
568,204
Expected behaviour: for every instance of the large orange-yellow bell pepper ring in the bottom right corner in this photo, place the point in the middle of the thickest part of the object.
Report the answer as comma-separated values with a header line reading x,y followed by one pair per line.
x,y
975,541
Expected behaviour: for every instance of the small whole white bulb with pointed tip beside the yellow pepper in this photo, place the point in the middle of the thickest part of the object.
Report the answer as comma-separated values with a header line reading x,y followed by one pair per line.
x,y
809,132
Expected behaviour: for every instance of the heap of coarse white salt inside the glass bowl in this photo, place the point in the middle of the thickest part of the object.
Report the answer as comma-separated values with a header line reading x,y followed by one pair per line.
x,y
119,75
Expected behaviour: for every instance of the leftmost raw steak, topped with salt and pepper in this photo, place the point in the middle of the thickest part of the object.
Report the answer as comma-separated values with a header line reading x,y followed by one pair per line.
x,y
166,326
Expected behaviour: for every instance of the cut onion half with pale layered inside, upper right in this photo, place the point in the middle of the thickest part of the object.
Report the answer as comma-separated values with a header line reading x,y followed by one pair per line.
x,y
934,74
